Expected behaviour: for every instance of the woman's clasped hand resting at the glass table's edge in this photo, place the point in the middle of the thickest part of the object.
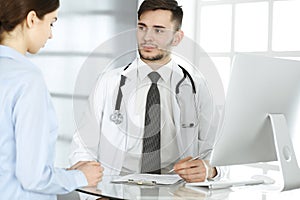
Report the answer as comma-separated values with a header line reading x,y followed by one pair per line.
x,y
92,170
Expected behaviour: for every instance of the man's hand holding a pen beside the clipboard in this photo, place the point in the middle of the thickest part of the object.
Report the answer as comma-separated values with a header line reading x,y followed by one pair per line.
x,y
194,170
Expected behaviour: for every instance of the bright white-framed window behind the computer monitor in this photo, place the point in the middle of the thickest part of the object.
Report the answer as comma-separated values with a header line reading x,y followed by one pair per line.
x,y
267,27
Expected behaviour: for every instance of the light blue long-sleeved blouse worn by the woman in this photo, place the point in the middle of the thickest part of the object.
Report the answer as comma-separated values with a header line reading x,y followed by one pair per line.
x,y
28,131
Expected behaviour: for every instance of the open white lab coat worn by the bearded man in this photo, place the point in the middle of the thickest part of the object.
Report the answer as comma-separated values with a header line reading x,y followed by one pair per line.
x,y
97,137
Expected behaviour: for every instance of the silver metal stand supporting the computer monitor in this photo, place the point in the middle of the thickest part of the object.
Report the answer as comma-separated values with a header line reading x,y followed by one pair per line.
x,y
285,152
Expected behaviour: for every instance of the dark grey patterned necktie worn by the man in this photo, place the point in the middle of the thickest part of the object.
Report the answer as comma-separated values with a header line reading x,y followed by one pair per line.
x,y
151,141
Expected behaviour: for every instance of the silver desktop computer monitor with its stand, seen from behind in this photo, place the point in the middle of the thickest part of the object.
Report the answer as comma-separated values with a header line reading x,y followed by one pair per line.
x,y
261,115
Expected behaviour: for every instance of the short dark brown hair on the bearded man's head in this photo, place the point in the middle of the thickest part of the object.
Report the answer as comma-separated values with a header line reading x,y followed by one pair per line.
x,y
171,5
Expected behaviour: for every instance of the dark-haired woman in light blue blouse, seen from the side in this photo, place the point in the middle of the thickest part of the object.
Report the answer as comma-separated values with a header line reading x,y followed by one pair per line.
x,y
28,126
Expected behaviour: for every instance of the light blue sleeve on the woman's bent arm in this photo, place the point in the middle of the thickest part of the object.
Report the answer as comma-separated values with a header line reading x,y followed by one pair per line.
x,y
35,134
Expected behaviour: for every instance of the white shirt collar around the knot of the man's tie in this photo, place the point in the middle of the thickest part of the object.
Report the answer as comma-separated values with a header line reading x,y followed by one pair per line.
x,y
165,71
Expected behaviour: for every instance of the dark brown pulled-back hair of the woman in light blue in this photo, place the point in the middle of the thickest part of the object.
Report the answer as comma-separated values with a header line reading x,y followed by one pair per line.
x,y
14,12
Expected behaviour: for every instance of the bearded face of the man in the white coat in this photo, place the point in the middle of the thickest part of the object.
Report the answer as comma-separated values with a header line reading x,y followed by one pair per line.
x,y
156,35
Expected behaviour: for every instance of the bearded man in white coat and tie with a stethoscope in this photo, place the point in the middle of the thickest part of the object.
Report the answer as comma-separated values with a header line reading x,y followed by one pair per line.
x,y
181,121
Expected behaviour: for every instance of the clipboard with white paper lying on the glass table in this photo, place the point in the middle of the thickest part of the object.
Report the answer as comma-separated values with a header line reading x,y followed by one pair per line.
x,y
149,179
